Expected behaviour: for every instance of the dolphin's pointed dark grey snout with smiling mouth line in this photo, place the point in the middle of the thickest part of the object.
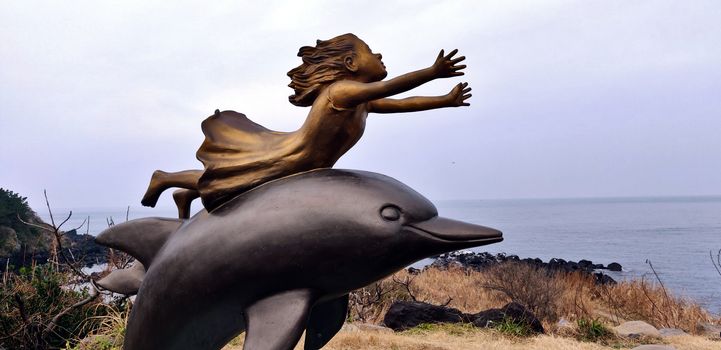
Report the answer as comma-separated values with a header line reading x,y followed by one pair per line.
x,y
458,231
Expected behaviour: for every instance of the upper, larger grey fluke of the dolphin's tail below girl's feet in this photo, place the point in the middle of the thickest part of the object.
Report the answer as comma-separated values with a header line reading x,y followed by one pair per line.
x,y
141,238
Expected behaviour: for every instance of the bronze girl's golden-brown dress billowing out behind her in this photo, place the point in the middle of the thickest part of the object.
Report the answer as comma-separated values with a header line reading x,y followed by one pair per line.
x,y
239,154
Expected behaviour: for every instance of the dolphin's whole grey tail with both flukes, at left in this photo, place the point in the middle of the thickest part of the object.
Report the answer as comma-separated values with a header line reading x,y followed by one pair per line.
x,y
141,239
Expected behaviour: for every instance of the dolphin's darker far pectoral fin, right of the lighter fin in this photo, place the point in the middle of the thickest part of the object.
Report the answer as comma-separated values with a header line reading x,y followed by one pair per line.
x,y
326,319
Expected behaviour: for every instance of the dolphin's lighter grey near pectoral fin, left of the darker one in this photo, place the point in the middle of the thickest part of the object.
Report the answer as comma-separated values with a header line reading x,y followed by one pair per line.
x,y
277,322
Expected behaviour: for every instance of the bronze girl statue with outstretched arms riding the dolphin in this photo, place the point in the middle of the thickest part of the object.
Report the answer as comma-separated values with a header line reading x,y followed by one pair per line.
x,y
342,81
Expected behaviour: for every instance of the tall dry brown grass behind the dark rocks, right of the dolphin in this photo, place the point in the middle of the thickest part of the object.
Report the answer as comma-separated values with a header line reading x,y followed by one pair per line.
x,y
550,296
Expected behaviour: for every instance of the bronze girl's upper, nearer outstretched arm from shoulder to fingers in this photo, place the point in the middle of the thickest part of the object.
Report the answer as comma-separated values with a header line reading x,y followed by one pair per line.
x,y
350,93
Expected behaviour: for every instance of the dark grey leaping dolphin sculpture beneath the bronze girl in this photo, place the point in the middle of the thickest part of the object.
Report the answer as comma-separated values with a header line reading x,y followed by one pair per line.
x,y
275,261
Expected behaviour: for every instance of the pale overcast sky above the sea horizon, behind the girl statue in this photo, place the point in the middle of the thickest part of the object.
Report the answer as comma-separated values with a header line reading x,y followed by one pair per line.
x,y
570,99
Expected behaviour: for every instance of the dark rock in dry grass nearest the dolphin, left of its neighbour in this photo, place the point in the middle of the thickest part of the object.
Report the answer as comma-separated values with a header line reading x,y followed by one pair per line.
x,y
403,315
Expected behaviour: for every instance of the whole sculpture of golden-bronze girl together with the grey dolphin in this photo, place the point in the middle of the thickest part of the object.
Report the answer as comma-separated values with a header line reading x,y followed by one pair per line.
x,y
283,238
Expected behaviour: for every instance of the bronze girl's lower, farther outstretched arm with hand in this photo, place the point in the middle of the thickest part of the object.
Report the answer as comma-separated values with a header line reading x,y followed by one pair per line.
x,y
456,98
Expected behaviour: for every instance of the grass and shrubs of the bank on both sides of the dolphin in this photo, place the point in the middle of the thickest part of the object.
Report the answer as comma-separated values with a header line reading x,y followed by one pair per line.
x,y
576,313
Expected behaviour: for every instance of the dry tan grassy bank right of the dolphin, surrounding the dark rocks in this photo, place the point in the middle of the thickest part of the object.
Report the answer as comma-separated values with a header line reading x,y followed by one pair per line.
x,y
589,311
